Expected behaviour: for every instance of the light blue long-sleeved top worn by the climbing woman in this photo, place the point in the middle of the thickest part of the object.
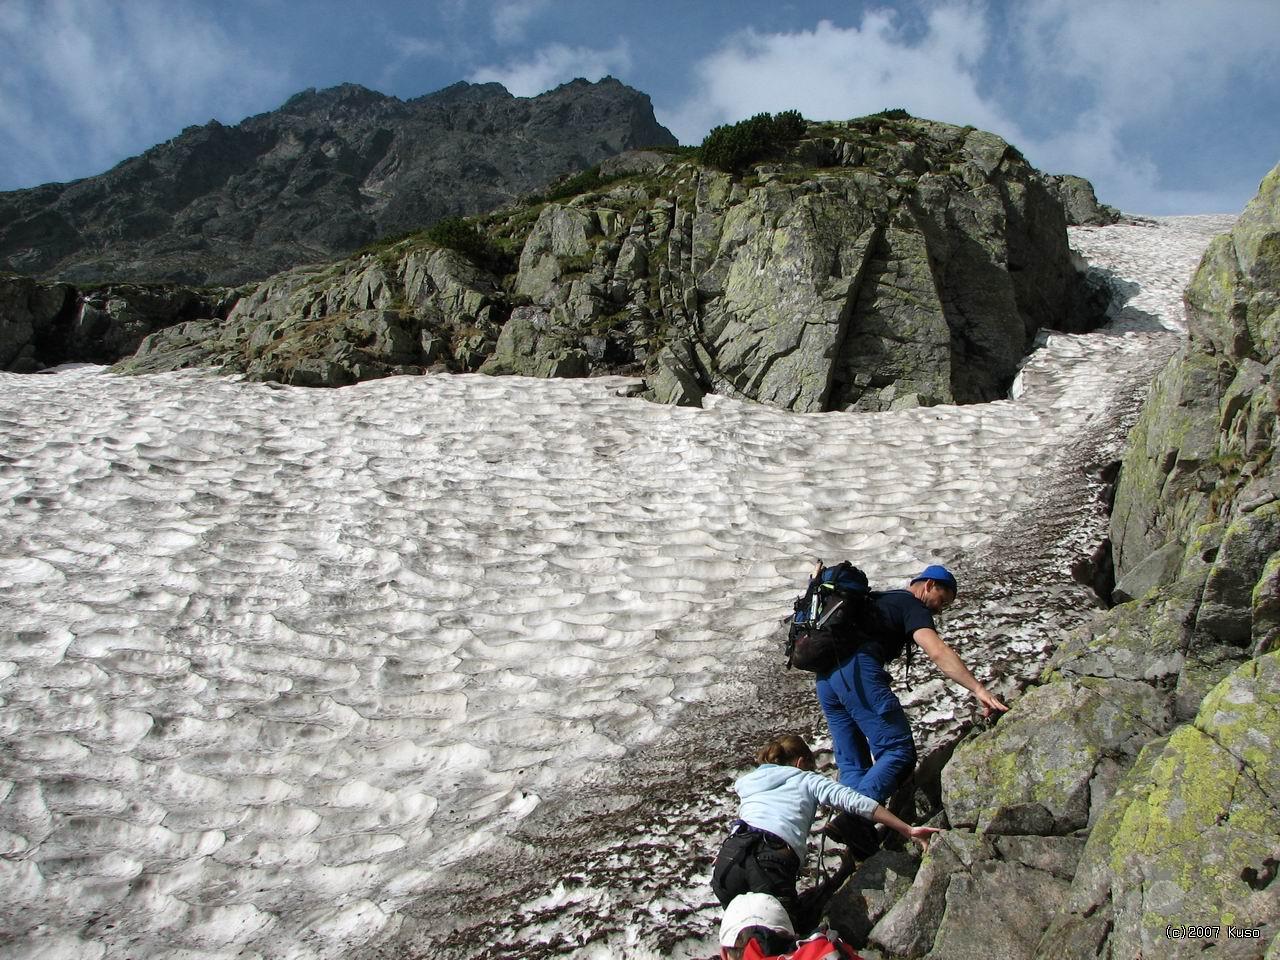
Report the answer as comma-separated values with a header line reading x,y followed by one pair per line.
x,y
784,801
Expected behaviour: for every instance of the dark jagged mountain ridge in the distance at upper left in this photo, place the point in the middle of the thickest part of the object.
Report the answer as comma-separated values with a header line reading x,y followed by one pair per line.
x,y
316,180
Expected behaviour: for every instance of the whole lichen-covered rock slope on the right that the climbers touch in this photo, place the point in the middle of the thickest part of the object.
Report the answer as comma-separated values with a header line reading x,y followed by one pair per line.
x,y
1150,743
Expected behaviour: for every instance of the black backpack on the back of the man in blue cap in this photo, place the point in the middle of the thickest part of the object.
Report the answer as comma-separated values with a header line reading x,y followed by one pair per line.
x,y
830,620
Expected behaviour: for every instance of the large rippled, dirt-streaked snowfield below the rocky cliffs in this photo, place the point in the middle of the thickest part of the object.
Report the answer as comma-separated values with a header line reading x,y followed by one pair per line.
x,y
276,664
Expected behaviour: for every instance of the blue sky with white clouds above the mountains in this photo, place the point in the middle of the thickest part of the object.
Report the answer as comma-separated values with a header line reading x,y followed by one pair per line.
x,y
1171,107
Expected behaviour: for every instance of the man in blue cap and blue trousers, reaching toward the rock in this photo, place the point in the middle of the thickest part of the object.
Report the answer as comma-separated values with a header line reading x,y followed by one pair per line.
x,y
870,732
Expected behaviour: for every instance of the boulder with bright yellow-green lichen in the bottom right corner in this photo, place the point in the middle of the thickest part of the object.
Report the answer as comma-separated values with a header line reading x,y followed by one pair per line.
x,y
1191,838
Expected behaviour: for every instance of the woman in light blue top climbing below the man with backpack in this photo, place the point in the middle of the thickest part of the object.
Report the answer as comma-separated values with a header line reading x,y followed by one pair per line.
x,y
767,844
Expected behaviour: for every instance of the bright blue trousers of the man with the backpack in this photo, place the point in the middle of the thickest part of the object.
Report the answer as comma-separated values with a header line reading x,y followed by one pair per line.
x,y
870,732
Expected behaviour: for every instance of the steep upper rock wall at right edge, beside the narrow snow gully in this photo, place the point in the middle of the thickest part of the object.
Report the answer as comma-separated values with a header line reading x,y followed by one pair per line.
x,y
1204,447
